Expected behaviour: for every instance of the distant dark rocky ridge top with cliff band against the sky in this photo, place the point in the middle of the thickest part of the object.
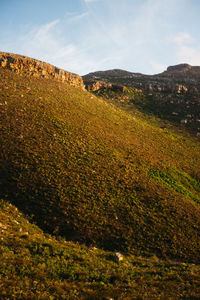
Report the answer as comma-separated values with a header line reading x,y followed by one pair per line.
x,y
176,79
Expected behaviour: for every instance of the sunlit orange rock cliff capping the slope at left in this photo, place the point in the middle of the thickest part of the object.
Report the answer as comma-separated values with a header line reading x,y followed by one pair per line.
x,y
37,68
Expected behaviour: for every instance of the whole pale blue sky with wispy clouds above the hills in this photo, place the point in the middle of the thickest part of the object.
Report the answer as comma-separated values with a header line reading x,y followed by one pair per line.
x,y
83,36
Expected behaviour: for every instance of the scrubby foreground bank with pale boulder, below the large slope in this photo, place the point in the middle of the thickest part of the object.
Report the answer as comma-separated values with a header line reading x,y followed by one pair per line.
x,y
37,266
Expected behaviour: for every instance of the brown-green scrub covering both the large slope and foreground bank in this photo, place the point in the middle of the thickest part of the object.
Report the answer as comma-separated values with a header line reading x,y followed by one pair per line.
x,y
84,170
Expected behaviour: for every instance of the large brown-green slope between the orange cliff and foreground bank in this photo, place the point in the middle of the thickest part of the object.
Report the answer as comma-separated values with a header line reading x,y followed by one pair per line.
x,y
91,172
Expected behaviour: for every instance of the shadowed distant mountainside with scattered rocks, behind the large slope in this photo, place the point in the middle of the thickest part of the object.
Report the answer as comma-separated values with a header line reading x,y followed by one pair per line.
x,y
173,95
